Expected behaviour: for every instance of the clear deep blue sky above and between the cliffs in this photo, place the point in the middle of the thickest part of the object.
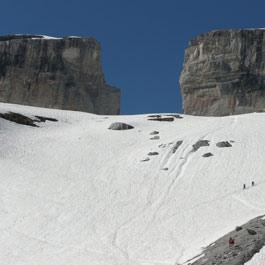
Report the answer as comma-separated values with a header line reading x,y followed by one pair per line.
x,y
143,41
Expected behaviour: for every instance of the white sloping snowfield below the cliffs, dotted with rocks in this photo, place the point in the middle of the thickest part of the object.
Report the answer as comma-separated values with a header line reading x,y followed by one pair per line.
x,y
73,192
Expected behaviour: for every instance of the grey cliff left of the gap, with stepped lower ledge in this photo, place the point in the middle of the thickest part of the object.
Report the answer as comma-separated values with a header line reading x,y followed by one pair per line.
x,y
63,73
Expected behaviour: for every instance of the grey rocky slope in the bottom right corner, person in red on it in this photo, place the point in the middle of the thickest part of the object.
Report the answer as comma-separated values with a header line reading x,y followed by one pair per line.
x,y
248,240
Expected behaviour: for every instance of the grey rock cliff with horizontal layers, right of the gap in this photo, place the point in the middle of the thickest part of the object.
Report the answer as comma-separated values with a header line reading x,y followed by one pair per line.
x,y
224,73
